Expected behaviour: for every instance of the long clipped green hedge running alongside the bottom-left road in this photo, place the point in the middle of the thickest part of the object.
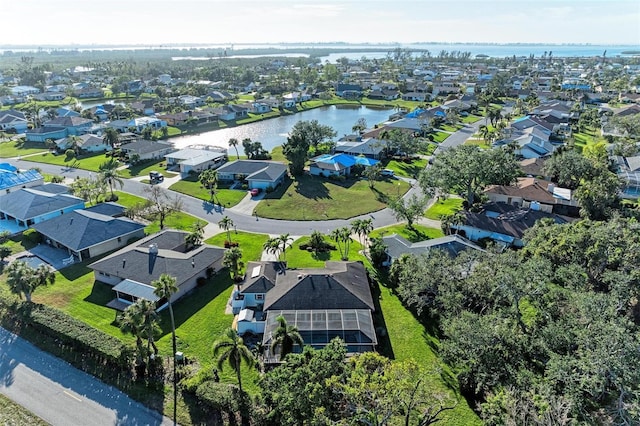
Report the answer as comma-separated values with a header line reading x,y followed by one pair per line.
x,y
75,333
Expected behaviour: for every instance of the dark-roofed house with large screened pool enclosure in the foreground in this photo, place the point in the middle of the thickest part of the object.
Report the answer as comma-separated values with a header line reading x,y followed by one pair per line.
x,y
323,303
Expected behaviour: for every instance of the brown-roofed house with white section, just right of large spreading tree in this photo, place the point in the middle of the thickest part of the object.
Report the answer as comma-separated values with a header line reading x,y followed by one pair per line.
x,y
535,194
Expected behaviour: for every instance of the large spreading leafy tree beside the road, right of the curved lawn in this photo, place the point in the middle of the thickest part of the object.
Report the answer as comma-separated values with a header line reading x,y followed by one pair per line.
x,y
467,168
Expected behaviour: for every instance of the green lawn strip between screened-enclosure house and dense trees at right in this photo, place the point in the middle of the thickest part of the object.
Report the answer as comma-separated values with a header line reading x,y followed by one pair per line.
x,y
410,340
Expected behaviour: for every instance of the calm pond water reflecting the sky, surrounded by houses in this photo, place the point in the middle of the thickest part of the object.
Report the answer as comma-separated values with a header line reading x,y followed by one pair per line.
x,y
273,132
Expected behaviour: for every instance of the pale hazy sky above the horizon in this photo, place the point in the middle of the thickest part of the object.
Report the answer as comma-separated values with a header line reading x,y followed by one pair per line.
x,y
157,22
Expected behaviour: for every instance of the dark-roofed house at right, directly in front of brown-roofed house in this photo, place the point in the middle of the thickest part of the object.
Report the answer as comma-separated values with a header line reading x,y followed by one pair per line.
x,y
502,223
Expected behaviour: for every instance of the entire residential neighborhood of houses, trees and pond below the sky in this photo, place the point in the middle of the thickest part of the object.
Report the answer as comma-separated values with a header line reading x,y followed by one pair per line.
x,y
323,235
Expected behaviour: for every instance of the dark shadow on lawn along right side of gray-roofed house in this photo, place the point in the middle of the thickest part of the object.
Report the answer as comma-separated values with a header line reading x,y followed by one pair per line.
x,y
189,305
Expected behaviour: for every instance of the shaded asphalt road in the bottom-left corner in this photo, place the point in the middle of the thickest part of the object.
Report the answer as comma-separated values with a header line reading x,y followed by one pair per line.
x,y
61,394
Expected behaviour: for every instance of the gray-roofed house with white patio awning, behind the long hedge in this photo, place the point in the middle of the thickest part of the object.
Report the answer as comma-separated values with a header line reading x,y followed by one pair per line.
x,y
132,269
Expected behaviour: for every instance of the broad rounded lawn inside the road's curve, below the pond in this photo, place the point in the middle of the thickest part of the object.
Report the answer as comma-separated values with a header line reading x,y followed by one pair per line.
x,y
316,198
